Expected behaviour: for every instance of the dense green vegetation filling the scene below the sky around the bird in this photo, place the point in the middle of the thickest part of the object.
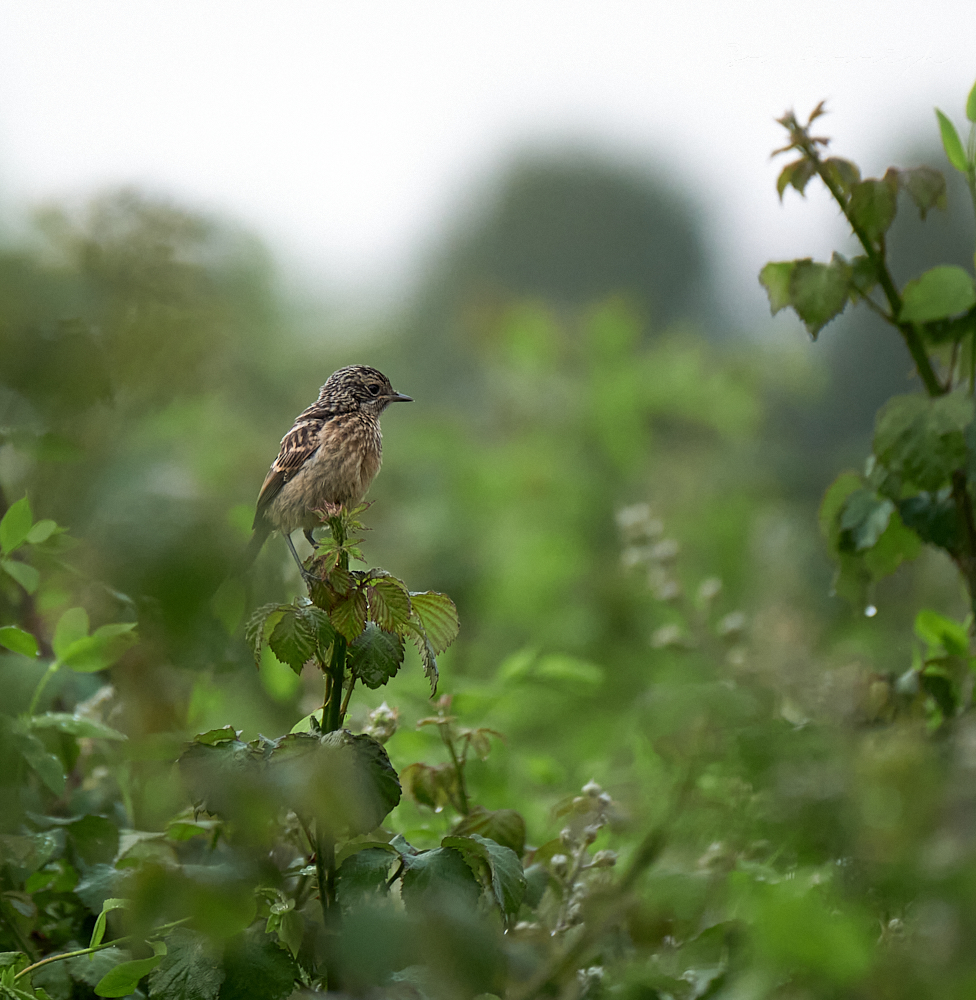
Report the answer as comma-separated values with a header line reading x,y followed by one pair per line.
x,y
634,748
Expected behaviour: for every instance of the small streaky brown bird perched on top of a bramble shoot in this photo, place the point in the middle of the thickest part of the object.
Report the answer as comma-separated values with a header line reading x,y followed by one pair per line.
x,y
329,457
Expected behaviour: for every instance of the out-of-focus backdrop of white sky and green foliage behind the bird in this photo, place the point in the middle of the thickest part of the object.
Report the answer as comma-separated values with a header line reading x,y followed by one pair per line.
x,y
544,222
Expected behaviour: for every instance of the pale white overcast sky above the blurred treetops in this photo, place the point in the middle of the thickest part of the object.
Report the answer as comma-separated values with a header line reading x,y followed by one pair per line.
x,y
347,131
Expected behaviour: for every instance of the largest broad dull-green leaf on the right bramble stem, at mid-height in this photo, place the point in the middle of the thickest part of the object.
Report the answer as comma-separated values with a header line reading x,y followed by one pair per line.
x,y
921,438
